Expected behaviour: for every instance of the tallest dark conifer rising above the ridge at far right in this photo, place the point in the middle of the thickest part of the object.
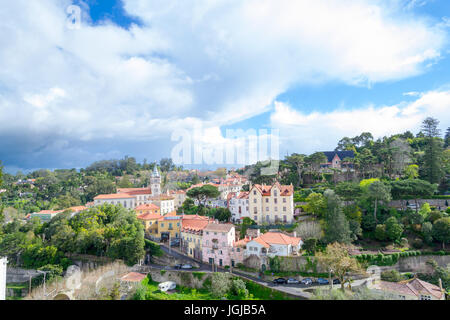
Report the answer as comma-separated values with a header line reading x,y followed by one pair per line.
x,y
432,167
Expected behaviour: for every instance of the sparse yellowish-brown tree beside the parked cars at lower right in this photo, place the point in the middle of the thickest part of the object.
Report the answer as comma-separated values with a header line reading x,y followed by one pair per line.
x,y
337,260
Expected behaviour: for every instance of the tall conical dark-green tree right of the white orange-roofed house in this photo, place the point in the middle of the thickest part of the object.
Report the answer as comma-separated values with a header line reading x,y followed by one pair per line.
x,y
337,228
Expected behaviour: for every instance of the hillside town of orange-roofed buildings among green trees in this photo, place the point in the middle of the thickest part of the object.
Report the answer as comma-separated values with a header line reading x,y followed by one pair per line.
x,y
286,232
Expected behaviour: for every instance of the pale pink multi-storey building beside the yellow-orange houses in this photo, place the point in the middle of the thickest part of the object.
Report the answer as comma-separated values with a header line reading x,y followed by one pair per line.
x,y
217,243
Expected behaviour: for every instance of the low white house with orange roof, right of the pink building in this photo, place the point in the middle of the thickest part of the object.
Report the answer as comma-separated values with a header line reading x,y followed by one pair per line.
x,y
273,244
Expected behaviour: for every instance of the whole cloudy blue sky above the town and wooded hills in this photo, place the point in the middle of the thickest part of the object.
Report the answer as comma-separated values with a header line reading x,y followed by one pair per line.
x,y
135,71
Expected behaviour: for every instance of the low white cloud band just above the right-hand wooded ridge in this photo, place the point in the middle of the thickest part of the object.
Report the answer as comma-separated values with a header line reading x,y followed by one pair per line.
x,y
322,130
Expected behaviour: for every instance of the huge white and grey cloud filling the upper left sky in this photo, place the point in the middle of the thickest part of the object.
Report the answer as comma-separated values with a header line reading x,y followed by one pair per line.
x,y
74,91
